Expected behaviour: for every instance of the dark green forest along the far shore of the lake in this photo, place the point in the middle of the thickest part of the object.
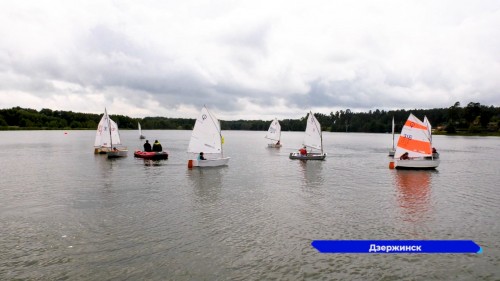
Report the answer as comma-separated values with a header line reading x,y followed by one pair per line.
x,y
473,118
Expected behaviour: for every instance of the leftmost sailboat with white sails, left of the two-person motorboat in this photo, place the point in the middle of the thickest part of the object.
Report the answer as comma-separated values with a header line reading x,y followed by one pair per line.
x,y
108,138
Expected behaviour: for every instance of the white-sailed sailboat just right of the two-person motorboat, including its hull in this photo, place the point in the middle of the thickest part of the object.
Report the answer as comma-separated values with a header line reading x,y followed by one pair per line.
x,y
207,138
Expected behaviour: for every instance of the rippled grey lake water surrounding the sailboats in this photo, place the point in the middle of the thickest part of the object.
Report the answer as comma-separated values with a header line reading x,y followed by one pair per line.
x,y
66,213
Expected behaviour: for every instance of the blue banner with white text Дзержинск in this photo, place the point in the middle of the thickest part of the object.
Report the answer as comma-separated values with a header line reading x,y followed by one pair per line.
x,y
397,246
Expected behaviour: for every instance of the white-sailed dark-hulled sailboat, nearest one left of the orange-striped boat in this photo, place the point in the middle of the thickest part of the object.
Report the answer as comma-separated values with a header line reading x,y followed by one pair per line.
x,y
313,140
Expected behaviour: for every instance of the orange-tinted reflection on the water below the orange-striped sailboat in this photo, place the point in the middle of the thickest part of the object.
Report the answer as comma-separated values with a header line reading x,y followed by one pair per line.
x,y
414,194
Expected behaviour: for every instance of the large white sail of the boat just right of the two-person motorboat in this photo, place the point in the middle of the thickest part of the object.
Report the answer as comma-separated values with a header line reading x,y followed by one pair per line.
x,y
206,136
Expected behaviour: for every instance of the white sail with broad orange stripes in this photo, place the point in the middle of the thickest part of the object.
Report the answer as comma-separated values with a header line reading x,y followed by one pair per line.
x,y
414,139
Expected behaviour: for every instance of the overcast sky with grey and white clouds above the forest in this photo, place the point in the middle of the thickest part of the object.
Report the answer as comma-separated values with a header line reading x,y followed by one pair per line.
x,y
248,59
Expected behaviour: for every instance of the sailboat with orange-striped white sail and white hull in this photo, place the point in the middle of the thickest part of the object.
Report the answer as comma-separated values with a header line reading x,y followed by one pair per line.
x,y
415,141
